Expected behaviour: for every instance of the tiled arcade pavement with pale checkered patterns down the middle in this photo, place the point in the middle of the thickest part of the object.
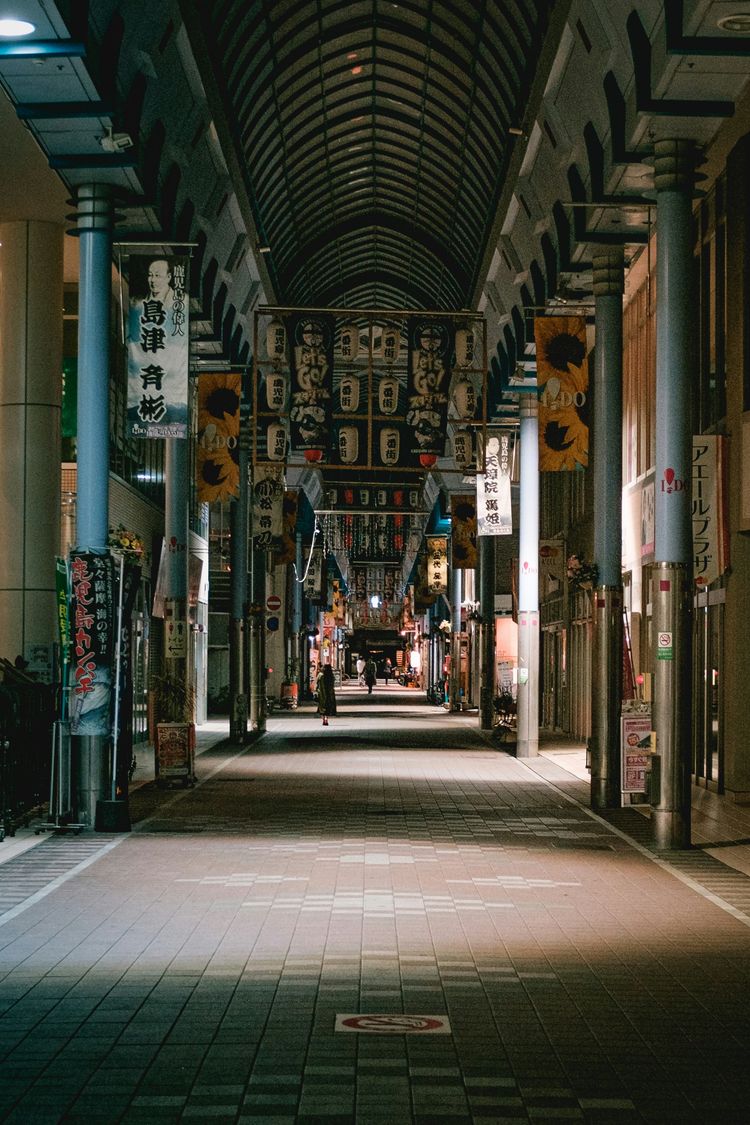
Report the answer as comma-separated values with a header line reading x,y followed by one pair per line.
x,y
393,863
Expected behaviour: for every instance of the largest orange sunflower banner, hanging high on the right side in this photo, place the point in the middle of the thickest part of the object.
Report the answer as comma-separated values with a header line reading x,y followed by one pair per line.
x,y
563,383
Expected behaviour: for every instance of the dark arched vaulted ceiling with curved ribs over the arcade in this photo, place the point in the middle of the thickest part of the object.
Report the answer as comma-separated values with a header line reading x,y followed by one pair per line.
x,y
374,138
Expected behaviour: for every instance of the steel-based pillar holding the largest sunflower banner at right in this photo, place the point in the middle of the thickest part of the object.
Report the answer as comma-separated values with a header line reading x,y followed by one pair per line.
x,y
608,658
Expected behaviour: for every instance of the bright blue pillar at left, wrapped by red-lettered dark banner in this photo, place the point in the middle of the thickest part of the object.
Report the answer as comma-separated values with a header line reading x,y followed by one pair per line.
x,y
92,764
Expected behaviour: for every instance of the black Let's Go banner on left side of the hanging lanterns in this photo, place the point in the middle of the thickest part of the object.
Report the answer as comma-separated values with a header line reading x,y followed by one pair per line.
x,y
312,382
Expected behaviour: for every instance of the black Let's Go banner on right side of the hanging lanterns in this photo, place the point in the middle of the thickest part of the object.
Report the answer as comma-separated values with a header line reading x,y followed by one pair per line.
x,y
431,348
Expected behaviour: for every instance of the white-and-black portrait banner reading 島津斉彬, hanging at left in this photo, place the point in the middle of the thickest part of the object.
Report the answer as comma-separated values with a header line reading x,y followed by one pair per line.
x,y
158,347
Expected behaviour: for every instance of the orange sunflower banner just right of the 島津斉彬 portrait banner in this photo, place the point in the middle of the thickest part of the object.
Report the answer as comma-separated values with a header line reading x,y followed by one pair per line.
x,y
218,451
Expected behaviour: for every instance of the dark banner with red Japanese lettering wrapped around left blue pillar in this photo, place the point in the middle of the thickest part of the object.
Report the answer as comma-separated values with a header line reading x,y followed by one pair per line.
x,y
93,643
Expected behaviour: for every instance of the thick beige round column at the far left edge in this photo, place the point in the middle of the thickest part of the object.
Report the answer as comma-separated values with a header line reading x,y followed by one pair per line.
x,y
31,363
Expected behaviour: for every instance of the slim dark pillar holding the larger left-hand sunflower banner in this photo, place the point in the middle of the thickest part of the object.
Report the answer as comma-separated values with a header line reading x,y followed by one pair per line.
x,y
239,605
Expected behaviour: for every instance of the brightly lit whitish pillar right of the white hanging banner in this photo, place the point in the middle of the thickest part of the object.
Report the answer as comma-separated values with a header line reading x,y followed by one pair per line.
x,y
528,700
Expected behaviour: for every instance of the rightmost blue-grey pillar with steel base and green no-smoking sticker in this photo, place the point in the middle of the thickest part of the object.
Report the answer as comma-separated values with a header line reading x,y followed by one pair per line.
x,y
673,571
